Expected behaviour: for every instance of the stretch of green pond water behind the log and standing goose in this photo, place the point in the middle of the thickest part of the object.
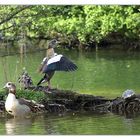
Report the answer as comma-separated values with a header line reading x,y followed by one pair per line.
x,y
103,73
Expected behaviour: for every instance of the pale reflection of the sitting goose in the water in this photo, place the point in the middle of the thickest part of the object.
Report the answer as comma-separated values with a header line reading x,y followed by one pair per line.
x,y
17,126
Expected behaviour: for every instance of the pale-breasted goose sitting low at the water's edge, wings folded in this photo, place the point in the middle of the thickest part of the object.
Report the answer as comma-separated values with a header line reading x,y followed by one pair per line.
x,y
19,107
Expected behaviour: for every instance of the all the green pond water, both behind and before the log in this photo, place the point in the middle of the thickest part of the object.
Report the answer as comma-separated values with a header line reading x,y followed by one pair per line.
x,y
104,73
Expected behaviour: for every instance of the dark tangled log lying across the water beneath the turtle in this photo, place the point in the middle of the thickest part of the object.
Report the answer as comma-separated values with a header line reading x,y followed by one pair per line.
x,y
60,101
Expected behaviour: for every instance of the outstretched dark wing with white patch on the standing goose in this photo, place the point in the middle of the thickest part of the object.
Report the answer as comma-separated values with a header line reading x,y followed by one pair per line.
x,y
59,63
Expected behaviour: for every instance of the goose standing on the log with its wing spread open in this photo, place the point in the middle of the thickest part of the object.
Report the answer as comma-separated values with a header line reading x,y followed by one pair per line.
x,y
54,62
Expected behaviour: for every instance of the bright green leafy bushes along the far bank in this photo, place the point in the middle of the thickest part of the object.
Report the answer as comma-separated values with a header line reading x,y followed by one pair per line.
x,y
80,27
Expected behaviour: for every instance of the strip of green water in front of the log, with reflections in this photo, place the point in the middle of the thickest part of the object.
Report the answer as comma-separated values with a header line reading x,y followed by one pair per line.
x,y
71,124
